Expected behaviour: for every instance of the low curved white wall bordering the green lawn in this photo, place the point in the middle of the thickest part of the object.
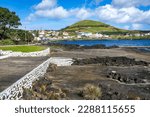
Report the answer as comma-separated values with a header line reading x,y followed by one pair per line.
x,y
22,54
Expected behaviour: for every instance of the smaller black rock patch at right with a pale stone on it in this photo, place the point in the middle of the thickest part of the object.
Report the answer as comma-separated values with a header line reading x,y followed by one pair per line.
x,y
129,74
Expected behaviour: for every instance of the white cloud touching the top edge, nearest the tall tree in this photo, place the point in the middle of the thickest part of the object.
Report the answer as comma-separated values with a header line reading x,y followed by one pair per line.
x,y
48,9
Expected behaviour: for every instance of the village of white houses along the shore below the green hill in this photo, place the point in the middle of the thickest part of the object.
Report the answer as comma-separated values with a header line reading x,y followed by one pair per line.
x,y
62,35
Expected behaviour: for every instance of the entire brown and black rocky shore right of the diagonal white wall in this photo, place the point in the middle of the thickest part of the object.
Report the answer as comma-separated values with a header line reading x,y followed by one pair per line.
x,y
123,74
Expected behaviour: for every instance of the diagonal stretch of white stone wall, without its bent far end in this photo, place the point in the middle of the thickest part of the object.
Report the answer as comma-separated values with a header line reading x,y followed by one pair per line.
x,y
15,91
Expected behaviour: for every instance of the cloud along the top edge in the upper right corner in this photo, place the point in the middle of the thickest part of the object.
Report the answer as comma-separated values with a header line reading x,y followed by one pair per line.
x,y
130,3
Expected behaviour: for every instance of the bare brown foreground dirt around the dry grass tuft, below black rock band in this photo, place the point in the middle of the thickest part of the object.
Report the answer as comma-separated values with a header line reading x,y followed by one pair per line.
x,y
74,78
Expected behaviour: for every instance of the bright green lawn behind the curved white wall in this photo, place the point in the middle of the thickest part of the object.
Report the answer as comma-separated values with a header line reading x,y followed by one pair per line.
x,y
23,48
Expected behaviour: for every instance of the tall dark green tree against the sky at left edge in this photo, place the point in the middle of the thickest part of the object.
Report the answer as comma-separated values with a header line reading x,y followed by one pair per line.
x,y
8,20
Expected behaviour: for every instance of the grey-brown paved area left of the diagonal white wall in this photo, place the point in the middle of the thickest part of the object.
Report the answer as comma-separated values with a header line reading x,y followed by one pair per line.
x,y
12,69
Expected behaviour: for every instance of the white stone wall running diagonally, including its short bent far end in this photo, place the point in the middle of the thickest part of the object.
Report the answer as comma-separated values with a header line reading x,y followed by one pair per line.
x,y
15,91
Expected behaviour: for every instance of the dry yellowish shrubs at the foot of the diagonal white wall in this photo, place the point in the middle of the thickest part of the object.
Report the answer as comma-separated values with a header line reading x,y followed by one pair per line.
x,y
43,90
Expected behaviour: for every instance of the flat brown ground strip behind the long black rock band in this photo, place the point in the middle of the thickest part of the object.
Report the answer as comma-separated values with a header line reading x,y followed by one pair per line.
x,y
114,52
